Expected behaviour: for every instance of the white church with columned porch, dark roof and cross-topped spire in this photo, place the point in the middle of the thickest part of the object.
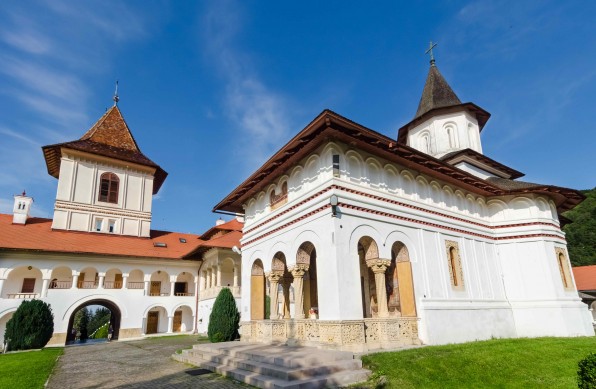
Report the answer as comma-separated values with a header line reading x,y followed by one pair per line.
x,y
415,239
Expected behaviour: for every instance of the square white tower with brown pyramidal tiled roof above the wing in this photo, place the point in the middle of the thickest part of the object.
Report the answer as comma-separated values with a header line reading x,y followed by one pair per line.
x,y
105,182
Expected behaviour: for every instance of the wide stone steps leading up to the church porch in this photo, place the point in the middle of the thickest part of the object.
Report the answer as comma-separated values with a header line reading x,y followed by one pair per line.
x,y
277,366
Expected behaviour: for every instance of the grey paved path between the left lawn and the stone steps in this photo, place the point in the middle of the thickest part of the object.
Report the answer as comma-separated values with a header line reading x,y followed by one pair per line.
x,y
137,364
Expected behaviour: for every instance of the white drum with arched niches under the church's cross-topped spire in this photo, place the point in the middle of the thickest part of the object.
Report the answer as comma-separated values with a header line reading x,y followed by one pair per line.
x,y
446,133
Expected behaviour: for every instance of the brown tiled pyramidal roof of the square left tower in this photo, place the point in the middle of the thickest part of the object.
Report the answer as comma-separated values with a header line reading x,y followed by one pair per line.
x,y
109,137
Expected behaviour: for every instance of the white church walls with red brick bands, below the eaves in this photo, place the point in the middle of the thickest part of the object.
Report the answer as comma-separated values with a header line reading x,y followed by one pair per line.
x,y
505,247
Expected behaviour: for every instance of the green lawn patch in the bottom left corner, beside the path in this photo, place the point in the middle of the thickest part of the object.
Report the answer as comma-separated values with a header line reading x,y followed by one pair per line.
x,y
28,369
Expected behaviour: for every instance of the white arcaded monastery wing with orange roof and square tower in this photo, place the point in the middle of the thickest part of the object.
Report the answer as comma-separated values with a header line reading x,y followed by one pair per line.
x,y
99,248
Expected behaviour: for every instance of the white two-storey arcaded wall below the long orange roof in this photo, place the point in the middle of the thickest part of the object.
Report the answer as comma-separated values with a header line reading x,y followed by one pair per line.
x,y
68,282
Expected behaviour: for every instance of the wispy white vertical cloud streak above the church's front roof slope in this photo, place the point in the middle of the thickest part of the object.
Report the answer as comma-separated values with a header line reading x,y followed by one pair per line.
x,y
260,111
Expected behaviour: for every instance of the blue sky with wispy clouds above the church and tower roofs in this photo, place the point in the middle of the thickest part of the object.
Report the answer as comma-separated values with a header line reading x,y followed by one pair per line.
x,y
212,89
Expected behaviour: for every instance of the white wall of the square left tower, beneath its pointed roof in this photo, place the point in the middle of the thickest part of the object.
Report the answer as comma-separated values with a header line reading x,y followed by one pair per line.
x,y
78,206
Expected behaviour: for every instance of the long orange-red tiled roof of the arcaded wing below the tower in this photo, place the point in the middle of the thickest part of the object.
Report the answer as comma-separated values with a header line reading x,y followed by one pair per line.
x,y
37,235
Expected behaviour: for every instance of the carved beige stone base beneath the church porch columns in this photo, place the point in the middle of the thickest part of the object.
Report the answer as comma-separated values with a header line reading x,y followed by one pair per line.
x,y
347,335
